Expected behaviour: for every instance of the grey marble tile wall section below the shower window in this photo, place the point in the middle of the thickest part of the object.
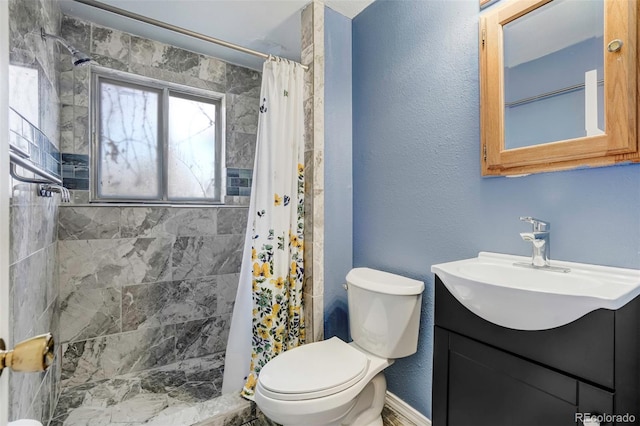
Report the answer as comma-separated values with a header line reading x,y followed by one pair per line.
x,y
143,287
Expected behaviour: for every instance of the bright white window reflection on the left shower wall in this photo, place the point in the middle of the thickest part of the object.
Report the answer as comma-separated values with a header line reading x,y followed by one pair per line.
x,y
24,92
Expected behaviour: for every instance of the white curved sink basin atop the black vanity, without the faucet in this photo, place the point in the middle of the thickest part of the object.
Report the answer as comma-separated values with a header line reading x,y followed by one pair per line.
x,y
493,288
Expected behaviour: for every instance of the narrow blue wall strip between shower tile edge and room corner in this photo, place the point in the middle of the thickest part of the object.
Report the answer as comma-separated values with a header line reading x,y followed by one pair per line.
x,y
338,199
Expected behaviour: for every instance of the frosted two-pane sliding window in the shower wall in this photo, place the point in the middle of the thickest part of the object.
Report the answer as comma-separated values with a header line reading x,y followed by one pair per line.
x,y
155,141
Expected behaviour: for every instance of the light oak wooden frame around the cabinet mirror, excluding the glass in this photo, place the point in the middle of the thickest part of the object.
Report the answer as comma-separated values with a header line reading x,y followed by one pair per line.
x,y
618,144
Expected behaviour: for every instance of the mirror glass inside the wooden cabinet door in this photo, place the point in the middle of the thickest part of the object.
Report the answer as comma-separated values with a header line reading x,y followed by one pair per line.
x,y
554,73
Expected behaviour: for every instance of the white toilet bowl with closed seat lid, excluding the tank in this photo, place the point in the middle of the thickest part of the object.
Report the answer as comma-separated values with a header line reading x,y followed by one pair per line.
x,y
321,384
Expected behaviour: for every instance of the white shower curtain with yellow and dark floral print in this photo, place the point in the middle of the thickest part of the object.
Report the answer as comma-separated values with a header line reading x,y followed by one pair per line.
x,y
268,315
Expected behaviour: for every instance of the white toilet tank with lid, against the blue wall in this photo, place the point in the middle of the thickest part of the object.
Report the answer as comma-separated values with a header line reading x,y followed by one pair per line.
x,y
384,312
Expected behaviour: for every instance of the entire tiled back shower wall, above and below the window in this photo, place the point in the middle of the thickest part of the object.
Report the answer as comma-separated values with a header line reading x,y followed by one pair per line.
x,y
146,286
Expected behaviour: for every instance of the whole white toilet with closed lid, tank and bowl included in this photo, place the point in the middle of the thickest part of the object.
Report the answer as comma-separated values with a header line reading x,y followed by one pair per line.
x,y
337,383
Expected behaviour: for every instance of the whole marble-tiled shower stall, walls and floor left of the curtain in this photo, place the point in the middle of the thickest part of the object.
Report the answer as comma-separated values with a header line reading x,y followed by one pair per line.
x,y
138,297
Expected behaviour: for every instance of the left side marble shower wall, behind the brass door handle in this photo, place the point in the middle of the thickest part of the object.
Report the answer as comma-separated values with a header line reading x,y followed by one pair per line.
x,y
33,220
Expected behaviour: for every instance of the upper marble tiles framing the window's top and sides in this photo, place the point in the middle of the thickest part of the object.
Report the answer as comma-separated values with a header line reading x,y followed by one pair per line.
x,y
122,51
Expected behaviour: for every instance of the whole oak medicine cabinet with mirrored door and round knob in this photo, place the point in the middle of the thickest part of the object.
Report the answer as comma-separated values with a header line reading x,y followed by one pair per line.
x,y
558,85
